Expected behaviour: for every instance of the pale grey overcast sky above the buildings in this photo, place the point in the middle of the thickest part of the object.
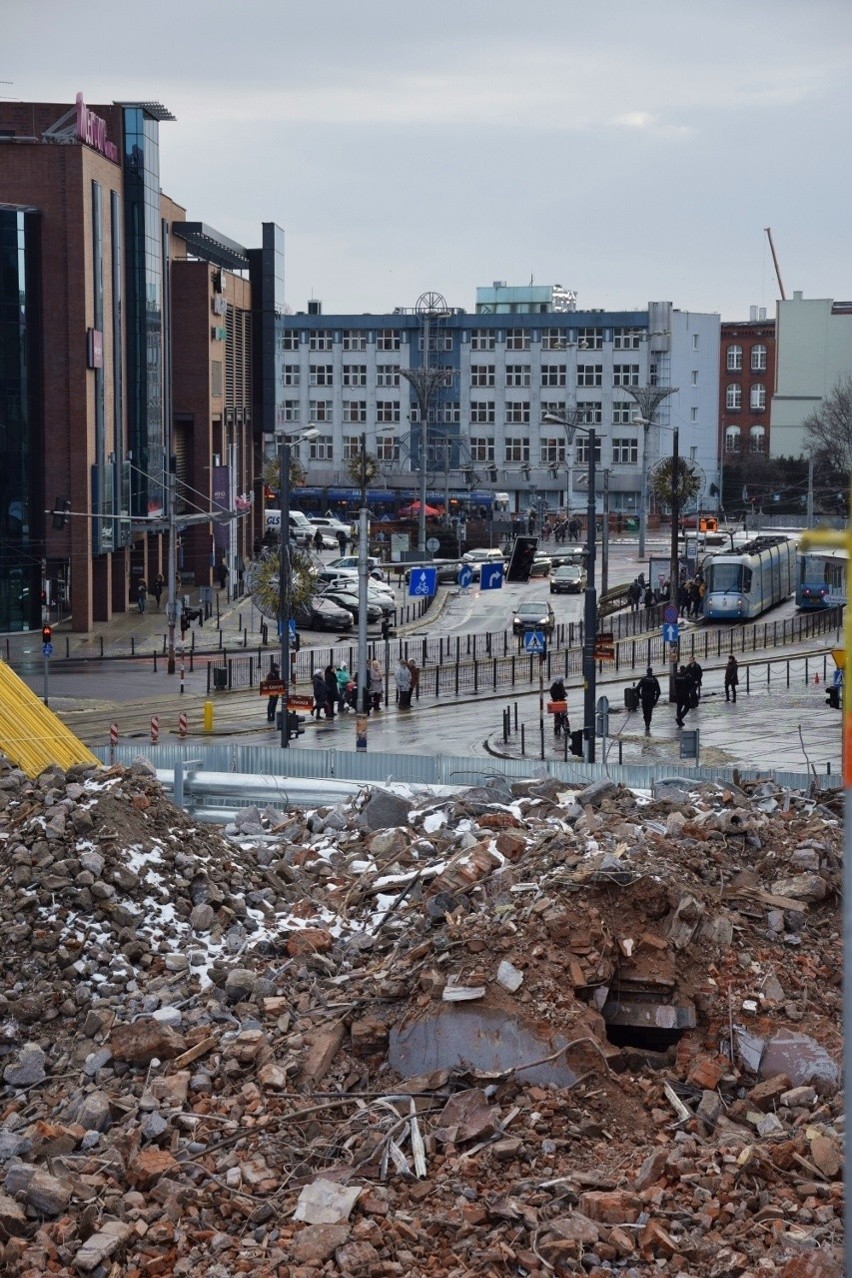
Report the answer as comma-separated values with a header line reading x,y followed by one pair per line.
x,y
632,151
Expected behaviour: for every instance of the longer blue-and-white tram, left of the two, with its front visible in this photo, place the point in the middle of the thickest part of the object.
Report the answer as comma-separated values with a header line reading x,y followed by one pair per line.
x,y
745,583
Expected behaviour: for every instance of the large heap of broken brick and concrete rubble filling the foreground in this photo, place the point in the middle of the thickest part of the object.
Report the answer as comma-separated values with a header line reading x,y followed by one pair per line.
x,y
515,1031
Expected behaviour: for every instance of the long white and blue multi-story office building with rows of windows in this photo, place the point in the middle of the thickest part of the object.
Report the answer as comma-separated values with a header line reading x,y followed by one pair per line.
x,y
523,356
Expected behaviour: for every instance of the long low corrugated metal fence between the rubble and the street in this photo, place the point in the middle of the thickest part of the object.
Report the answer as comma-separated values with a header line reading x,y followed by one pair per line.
x,y
432,770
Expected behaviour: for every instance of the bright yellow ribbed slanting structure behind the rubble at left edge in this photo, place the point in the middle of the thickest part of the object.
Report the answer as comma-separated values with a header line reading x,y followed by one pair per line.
x,y
30,733
